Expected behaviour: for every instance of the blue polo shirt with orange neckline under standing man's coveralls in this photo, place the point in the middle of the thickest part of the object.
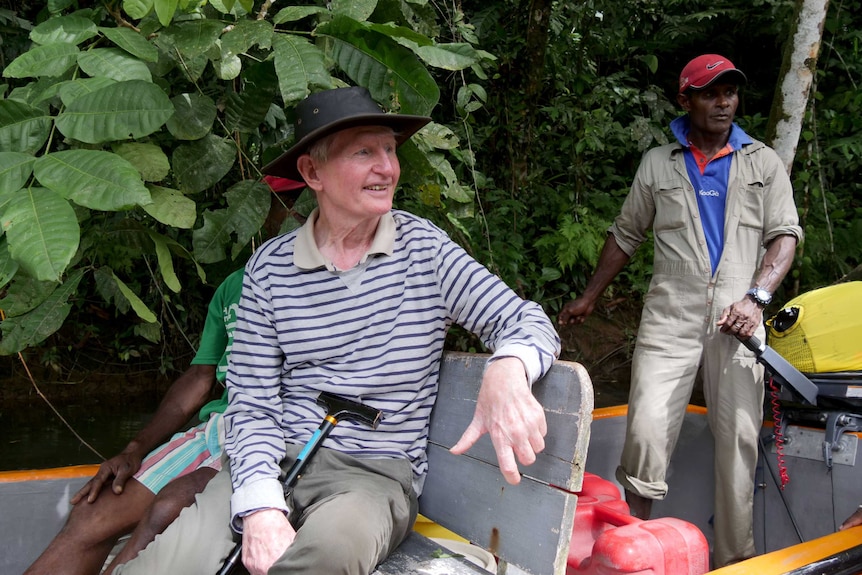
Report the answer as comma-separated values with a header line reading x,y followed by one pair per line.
x,y
710,179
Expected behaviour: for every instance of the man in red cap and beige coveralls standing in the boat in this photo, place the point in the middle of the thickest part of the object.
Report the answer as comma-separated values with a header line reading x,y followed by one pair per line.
x,y
725,228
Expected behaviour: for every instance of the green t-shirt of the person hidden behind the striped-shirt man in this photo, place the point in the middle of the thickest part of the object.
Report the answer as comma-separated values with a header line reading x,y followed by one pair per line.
x,y
217,336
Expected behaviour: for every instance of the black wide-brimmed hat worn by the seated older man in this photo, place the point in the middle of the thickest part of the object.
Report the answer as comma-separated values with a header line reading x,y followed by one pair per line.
x,y
324,113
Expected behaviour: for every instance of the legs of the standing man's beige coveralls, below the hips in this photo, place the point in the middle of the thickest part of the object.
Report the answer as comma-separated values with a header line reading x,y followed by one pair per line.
x,y
663,378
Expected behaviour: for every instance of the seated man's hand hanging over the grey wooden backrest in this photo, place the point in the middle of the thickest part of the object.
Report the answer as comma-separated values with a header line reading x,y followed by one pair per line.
x,y
507,410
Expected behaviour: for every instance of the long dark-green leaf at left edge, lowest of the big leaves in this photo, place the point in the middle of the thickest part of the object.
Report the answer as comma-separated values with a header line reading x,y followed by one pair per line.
x,y
33,327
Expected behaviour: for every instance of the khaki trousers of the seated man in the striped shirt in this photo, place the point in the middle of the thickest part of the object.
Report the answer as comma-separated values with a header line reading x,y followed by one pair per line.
x,y
349,513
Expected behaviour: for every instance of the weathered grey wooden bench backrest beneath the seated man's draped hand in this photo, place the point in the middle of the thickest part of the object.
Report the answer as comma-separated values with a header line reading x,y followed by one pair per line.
x,y
527,525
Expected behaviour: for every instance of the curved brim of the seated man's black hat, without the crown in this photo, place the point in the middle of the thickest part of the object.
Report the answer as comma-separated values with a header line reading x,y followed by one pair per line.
x,y
404,126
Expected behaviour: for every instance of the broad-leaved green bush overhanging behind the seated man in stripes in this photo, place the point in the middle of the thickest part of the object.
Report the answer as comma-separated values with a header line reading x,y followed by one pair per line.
x,y
132,135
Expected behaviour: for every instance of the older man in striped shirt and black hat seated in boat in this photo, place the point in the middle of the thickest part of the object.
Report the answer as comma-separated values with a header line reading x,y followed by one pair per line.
x,y
356,303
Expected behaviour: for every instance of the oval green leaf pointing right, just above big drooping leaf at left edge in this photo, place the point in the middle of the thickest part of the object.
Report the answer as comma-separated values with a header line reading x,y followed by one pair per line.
x,y
92,178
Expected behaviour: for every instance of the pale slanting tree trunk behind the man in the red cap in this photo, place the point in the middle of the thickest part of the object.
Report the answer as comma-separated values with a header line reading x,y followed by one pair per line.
x,y
797,73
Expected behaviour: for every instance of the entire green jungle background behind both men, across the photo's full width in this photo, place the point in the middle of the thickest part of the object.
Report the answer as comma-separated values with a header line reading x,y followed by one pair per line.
x,y
132,133
